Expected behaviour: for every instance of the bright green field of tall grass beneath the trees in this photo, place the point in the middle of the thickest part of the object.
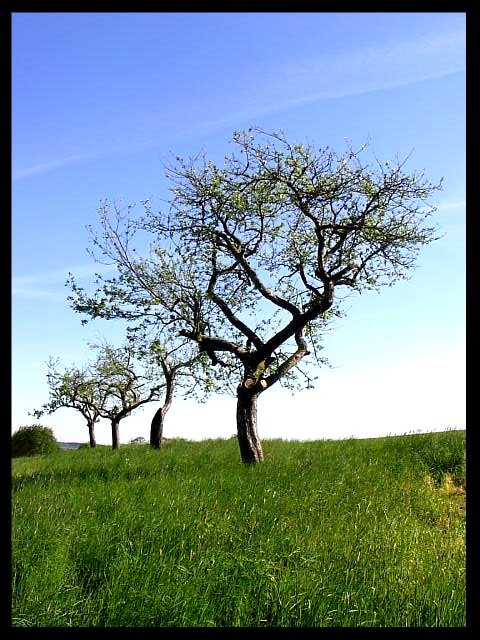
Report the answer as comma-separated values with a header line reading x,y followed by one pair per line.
x,y
327,533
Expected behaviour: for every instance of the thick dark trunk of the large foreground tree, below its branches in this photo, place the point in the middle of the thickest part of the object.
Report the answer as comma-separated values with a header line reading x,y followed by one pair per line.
x,y
248,440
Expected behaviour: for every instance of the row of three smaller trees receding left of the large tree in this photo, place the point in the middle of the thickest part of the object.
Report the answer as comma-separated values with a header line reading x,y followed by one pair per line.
x,y
118,381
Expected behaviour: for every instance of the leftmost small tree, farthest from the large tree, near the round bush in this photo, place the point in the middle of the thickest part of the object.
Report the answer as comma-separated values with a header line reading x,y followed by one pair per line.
x,y
74,388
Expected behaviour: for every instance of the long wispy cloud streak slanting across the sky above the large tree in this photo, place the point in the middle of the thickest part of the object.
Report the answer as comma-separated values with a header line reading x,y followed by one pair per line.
x,y
326,76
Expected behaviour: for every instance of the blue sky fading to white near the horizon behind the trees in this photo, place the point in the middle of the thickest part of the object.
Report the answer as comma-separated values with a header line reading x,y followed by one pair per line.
x,y
101,100
